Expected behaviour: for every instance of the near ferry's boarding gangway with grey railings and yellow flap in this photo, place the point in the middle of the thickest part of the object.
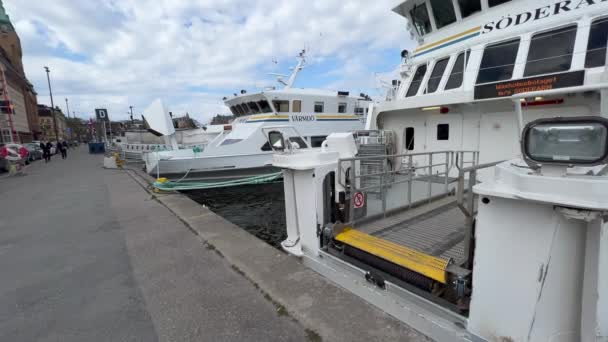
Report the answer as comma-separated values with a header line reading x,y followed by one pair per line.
x,y
416,215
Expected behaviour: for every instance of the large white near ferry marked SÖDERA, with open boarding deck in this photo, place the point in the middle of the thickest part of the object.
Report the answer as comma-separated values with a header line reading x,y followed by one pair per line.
x,y
520,256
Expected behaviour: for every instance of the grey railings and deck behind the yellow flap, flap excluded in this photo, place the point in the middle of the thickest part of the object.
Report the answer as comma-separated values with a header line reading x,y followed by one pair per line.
x,y
426,203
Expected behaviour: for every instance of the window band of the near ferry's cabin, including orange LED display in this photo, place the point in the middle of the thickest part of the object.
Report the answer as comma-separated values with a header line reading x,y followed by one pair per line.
x,y
575,44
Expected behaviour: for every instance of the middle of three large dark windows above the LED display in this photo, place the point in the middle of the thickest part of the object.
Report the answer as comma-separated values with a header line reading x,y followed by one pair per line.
x,y
551,51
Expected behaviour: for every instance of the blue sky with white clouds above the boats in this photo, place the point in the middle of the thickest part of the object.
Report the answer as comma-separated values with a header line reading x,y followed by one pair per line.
x,y
191,53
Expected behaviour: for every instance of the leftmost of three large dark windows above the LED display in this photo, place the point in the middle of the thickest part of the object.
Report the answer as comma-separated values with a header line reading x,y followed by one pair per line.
x,y
498,62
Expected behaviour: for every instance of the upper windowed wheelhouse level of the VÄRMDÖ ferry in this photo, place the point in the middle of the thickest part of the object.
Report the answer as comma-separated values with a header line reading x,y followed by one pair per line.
x,y
297,101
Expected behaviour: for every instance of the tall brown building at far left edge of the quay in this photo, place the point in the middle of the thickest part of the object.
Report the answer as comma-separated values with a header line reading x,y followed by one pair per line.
x,y
22,117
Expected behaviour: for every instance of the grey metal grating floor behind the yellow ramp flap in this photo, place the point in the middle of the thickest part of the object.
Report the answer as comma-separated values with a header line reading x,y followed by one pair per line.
x,y
437,229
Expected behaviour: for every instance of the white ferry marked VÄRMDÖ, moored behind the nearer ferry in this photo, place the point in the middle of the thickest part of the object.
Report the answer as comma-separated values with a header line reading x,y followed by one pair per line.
x,y
242,149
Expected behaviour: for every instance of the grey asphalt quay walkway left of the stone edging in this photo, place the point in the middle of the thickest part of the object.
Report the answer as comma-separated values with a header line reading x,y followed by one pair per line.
x,y
87,255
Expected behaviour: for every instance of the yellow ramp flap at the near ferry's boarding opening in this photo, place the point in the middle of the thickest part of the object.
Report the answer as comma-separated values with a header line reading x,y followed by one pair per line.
x,y
427,265
